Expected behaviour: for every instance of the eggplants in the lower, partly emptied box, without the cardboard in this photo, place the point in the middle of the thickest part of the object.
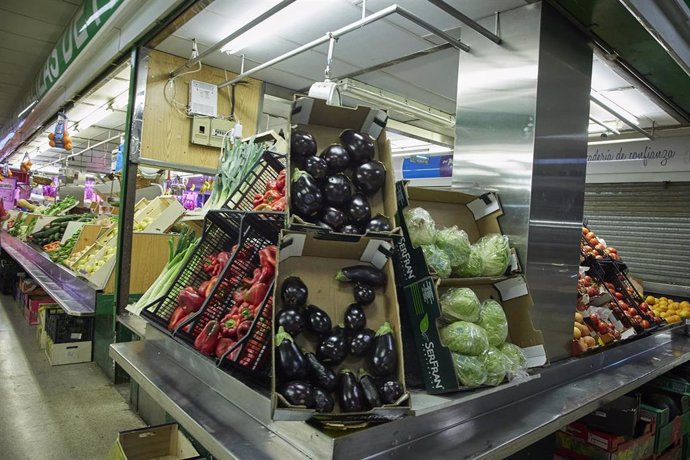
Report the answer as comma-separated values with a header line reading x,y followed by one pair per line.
x,y
312,379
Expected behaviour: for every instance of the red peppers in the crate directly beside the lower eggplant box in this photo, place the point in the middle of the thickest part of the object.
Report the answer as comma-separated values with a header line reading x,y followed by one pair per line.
x,y
217,337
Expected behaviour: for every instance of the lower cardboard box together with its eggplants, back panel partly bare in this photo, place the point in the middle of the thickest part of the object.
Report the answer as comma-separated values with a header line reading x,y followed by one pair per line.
x,y
356,311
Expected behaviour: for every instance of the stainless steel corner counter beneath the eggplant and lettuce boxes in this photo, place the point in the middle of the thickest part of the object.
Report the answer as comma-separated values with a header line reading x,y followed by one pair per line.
x,y
232,420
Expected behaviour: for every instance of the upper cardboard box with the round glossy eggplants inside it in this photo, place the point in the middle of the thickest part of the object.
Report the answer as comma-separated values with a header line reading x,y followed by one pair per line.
x,y
343,159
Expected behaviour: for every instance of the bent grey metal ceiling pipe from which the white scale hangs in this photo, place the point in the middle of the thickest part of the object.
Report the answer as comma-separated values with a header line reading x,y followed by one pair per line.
x,y
393,9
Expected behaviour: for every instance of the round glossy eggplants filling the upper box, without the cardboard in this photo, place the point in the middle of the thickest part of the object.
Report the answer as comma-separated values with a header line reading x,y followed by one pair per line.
x,y
332,190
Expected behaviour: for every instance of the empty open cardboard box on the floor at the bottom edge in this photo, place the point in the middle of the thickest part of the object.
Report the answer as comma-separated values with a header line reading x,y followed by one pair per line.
x,y
155,442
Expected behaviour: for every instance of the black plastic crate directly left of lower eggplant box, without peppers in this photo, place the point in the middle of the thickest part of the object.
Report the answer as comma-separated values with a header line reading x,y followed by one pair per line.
x,y
249,354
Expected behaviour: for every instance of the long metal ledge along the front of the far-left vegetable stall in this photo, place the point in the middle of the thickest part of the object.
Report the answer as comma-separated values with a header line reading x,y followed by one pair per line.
x,y
76,296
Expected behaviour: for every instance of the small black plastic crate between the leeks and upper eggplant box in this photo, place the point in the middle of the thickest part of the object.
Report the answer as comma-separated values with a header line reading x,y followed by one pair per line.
x,y
266,169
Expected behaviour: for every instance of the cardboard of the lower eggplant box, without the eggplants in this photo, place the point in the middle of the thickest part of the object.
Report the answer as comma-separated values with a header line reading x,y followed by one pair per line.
x,y
316,260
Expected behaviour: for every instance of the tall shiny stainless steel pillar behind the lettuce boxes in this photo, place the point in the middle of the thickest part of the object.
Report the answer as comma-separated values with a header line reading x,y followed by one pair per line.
x,y
522,115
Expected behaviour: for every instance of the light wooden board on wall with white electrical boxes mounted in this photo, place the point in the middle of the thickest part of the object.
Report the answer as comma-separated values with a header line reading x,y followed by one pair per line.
x,y
166,133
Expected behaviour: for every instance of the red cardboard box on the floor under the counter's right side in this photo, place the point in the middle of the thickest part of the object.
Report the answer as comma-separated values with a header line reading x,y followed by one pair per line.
x,y
577,441
